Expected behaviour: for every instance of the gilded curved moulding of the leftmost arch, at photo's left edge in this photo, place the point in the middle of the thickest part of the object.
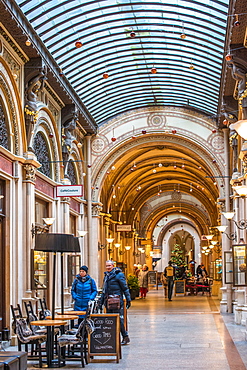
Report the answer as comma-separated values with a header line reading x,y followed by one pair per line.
x,y
10,108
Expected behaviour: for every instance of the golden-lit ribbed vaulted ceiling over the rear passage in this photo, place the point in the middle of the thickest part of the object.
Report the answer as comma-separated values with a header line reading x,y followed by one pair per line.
x,y
167,179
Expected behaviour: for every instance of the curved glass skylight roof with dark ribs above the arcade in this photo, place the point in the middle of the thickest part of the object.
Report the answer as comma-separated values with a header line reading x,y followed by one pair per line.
x,y
188,69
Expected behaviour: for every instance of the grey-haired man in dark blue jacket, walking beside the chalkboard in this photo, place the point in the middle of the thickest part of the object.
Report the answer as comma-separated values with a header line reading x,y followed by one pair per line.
x,y
115,283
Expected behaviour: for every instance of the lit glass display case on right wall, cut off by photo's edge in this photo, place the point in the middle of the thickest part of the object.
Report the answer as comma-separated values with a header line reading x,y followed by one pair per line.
x,y
239,265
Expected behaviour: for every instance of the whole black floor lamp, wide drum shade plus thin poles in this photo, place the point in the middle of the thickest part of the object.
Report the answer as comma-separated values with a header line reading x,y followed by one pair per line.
x,y
63,243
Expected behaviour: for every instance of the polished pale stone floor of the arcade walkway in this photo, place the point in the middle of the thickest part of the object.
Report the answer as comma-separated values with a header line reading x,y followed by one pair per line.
x,y
187,333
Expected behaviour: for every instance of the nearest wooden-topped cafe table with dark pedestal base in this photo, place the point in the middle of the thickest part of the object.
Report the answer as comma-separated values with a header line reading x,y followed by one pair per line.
x,y
49,344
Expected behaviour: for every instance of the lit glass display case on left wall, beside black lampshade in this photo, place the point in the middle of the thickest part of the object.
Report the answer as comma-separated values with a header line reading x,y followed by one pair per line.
x,y
39,270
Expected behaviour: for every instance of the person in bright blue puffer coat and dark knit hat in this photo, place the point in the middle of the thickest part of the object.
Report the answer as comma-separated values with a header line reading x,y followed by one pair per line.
x,y
83,290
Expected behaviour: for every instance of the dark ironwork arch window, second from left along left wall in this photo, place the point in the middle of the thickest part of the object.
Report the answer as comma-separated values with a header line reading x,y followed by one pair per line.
x,y
42,154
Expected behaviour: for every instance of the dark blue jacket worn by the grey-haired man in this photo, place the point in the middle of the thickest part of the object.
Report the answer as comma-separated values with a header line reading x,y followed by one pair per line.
x,y
115,283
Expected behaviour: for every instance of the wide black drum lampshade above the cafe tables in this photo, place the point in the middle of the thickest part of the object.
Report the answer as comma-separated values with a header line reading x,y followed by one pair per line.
x,y
56,243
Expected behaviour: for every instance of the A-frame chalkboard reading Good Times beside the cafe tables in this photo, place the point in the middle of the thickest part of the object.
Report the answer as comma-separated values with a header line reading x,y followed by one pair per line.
x,y
105,340
